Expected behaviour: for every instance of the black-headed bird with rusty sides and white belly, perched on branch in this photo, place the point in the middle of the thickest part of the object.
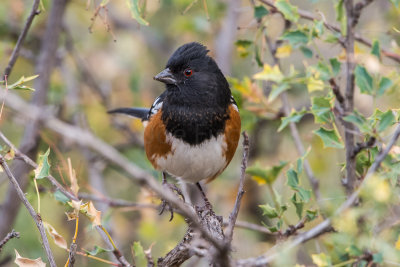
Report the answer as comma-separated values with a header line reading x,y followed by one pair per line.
x,y
193,128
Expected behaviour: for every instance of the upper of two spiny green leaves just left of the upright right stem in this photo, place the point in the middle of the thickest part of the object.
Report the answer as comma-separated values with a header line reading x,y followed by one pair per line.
x,y
321,108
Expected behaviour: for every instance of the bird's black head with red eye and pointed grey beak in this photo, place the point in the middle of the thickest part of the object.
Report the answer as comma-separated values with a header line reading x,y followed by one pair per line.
x,y
194,79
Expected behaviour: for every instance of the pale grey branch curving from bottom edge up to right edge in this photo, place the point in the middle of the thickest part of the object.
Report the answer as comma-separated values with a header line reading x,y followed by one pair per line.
x,y
324,226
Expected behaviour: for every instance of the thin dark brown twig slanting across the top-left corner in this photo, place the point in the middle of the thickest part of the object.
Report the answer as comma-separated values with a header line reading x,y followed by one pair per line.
x,y
21,38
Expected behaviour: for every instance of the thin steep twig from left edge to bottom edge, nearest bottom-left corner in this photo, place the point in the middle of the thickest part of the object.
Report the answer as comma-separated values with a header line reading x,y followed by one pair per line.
x,y
36,217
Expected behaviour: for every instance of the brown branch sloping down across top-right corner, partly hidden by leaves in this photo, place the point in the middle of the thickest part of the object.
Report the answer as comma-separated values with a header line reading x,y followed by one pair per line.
x,y
310,16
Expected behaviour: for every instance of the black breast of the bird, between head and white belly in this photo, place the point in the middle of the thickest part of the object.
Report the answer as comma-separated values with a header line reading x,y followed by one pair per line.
x,y
194,125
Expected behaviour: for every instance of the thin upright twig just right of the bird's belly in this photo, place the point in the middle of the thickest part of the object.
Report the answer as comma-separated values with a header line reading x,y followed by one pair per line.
x,y
235,211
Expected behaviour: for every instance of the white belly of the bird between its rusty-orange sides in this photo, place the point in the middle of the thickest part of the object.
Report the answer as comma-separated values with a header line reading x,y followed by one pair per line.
x,y
194,163
